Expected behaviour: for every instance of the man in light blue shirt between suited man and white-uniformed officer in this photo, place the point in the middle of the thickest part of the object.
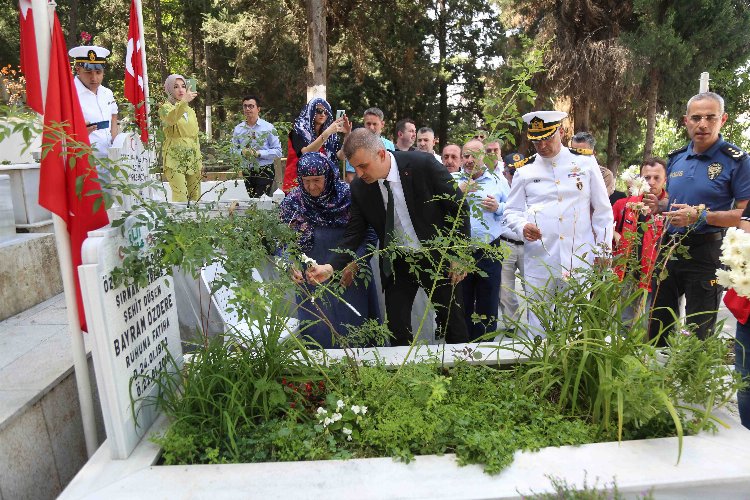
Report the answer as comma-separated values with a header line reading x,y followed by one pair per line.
x,y
486,195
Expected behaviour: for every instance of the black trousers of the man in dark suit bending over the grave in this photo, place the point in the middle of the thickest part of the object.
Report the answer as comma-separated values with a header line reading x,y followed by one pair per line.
x,y
400,292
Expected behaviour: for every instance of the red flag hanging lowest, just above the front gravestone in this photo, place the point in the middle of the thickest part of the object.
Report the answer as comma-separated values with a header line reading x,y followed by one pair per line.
x,y
67,178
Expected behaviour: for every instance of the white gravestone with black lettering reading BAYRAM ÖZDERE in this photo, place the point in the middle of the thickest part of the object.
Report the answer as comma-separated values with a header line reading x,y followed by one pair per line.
x,y
133,329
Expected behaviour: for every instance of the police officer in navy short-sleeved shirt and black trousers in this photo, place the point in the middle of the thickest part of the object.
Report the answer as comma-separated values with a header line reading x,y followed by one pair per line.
x,y
708,182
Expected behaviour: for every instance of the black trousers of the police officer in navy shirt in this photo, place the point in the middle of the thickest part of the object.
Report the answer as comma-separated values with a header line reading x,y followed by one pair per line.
x,y
696,279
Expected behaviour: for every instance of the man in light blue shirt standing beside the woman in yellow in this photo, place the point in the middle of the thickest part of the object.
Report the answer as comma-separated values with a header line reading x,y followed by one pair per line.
x,y
257,143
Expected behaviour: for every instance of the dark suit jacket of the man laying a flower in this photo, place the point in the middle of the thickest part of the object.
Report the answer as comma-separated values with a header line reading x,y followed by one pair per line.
x,y
431,195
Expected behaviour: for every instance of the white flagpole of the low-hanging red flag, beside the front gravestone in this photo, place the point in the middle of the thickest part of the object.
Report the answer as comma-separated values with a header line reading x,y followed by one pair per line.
x,y
62,241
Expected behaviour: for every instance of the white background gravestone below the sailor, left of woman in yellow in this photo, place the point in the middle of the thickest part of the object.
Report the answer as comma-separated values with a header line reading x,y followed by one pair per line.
x,y
127,149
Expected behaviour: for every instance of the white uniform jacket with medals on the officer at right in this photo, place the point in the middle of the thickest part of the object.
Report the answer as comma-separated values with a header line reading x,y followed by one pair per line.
x,y
574,213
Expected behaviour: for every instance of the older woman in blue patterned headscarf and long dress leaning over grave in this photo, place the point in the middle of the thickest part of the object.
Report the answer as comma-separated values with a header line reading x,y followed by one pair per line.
x,y
318,209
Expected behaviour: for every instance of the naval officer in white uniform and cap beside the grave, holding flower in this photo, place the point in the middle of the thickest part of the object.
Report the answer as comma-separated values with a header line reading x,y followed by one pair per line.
x,y
558,204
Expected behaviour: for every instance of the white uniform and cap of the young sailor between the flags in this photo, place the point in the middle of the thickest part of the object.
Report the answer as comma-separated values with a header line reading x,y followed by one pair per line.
x,y
97,107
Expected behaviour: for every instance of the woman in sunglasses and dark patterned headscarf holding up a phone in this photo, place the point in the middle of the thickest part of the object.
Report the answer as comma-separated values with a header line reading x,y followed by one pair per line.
x,y
314,130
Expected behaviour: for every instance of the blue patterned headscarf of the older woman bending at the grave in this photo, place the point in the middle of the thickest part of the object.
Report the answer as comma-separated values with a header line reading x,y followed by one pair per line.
x,y
303,212
